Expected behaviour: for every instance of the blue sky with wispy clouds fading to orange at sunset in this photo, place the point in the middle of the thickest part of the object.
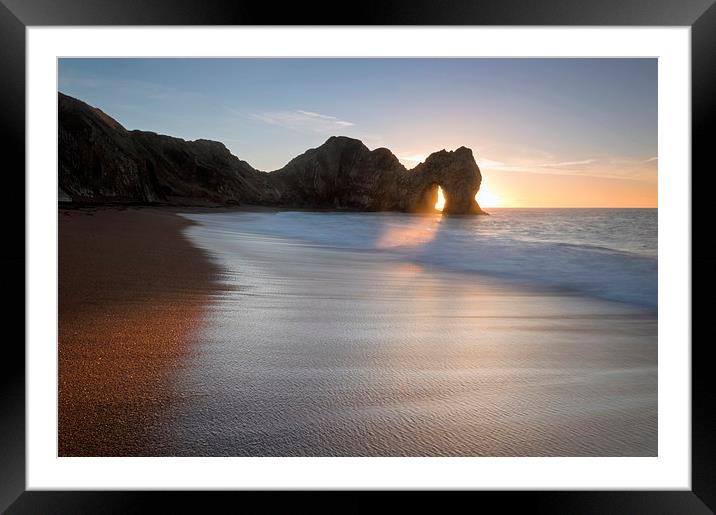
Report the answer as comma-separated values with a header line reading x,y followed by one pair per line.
x,y
545,132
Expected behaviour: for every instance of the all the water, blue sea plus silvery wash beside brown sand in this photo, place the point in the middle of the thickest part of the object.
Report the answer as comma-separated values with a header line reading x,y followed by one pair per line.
x,y
526,333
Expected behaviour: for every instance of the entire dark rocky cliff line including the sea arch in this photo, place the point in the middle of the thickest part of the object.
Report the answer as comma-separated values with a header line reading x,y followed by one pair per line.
x,y
101,161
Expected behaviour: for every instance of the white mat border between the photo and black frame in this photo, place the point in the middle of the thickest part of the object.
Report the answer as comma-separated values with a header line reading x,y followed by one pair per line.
x,y
670,470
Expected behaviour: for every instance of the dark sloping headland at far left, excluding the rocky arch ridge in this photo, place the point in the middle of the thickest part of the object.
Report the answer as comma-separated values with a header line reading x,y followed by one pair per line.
x,y
99,161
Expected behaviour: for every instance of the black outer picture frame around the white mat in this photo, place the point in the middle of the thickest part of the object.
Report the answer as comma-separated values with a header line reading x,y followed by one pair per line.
x,y
16,15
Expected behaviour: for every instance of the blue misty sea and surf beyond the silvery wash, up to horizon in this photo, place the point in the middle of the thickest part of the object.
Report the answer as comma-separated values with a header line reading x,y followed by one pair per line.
x,y
604,253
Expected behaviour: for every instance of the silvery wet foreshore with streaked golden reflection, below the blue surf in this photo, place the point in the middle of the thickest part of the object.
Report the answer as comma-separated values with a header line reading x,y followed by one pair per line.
x,y
309,350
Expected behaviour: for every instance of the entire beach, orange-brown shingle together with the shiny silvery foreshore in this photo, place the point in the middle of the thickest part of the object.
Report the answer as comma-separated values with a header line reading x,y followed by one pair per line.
x,y
180,338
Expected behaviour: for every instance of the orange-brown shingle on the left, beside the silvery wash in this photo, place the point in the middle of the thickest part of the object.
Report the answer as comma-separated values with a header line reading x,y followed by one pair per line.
x,y
132,292
